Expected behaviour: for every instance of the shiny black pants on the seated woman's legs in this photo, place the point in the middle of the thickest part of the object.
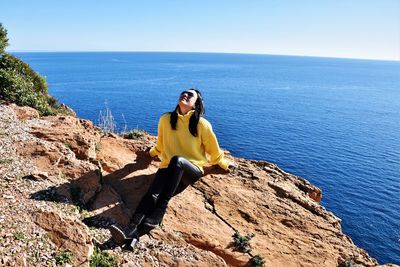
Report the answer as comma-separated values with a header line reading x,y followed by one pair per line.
x,y
167,183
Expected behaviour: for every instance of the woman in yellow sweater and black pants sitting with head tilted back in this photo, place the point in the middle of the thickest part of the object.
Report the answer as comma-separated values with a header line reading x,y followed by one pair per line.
x,y
184,140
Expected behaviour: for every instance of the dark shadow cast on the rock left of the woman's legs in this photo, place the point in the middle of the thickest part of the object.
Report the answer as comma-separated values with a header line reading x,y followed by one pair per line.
x,y
104,200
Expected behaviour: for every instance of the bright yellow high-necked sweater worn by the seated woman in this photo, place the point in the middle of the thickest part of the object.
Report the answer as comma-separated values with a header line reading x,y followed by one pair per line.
x,y
181,142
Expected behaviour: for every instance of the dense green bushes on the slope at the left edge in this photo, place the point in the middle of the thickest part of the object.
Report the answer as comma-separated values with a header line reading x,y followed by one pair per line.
x,y
21,85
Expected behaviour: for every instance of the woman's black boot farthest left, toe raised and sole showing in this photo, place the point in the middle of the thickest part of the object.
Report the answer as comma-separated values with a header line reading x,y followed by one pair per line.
x,y
120,237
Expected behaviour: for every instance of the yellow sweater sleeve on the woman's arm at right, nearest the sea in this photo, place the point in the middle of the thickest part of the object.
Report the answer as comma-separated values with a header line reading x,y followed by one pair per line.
x,y
212,148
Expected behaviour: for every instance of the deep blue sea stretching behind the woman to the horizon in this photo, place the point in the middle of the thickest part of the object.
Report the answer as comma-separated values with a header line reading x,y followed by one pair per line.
x,y
335,122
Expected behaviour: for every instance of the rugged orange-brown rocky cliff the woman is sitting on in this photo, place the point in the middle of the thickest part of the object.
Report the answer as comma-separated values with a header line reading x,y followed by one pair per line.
x,y
63,182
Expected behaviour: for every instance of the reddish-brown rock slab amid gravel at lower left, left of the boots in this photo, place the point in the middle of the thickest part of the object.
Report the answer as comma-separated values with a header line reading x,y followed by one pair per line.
x,y
67,234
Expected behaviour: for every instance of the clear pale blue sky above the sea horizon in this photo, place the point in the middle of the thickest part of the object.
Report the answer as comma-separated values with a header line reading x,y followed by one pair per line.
x,y
341,28
